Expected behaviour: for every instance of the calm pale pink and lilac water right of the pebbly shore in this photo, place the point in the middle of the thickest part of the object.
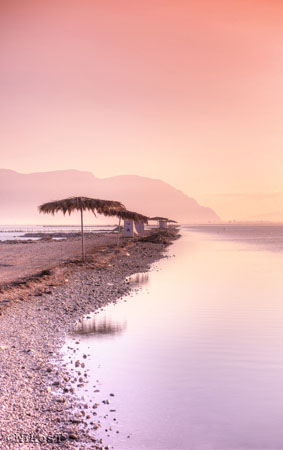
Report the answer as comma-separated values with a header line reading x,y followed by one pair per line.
x,y
195,358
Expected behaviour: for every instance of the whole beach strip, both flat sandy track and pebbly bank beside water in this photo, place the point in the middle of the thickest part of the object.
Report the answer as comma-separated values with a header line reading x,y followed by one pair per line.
x,y
39,407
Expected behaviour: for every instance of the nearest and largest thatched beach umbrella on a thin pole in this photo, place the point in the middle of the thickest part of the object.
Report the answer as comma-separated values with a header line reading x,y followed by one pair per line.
x,y
81,204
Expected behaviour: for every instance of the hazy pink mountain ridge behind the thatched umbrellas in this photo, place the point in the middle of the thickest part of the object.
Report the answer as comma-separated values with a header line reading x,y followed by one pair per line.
x,y
20,194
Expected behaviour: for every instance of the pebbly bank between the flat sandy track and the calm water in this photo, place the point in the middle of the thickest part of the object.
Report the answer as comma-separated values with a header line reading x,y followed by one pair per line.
x,y
38,396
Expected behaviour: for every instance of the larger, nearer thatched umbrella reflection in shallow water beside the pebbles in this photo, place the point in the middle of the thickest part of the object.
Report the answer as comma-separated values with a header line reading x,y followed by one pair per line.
x,y
99,325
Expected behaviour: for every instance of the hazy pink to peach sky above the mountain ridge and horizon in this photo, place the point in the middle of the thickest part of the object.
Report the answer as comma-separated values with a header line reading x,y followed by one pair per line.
x,y
189,91
